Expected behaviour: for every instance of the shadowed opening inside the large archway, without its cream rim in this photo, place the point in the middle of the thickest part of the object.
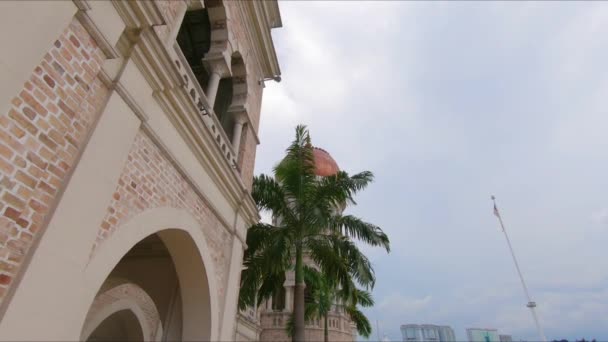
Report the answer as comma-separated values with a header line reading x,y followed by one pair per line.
x,y
163,277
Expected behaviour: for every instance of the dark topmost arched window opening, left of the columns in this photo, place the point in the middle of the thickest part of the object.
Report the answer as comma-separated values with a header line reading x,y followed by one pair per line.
x,y
194,39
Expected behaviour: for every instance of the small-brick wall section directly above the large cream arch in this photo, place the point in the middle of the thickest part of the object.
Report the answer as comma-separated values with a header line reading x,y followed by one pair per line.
x,y
149,180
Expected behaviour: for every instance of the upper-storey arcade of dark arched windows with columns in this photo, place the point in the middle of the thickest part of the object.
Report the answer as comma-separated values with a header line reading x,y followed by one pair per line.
x,y
202,39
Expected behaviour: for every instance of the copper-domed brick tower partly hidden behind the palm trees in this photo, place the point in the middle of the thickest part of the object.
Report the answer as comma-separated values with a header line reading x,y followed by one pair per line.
x,y
269,321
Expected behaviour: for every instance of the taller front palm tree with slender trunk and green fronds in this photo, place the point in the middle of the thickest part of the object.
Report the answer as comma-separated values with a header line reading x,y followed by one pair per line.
x,y
307,220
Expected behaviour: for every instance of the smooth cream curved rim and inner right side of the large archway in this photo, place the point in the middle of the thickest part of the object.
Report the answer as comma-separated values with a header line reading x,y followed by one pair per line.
x,y
185,241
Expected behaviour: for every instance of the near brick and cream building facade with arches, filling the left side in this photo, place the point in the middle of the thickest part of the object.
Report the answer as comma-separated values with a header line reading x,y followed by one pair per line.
x,y
128,132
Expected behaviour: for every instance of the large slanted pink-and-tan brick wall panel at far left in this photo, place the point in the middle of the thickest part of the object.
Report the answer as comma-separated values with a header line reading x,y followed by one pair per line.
x,y
40,137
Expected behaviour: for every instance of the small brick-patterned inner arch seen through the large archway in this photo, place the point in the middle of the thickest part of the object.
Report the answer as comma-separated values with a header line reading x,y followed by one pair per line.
x,y
132,292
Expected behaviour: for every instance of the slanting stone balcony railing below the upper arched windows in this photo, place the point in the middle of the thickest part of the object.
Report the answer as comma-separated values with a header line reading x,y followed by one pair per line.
x,y
206,113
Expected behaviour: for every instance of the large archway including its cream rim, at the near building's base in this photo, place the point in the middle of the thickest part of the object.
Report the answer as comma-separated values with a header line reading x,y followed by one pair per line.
x,y
167,266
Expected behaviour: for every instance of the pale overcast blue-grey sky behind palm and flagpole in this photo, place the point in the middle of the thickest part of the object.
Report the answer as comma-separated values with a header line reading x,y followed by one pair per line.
x,y
449,103
